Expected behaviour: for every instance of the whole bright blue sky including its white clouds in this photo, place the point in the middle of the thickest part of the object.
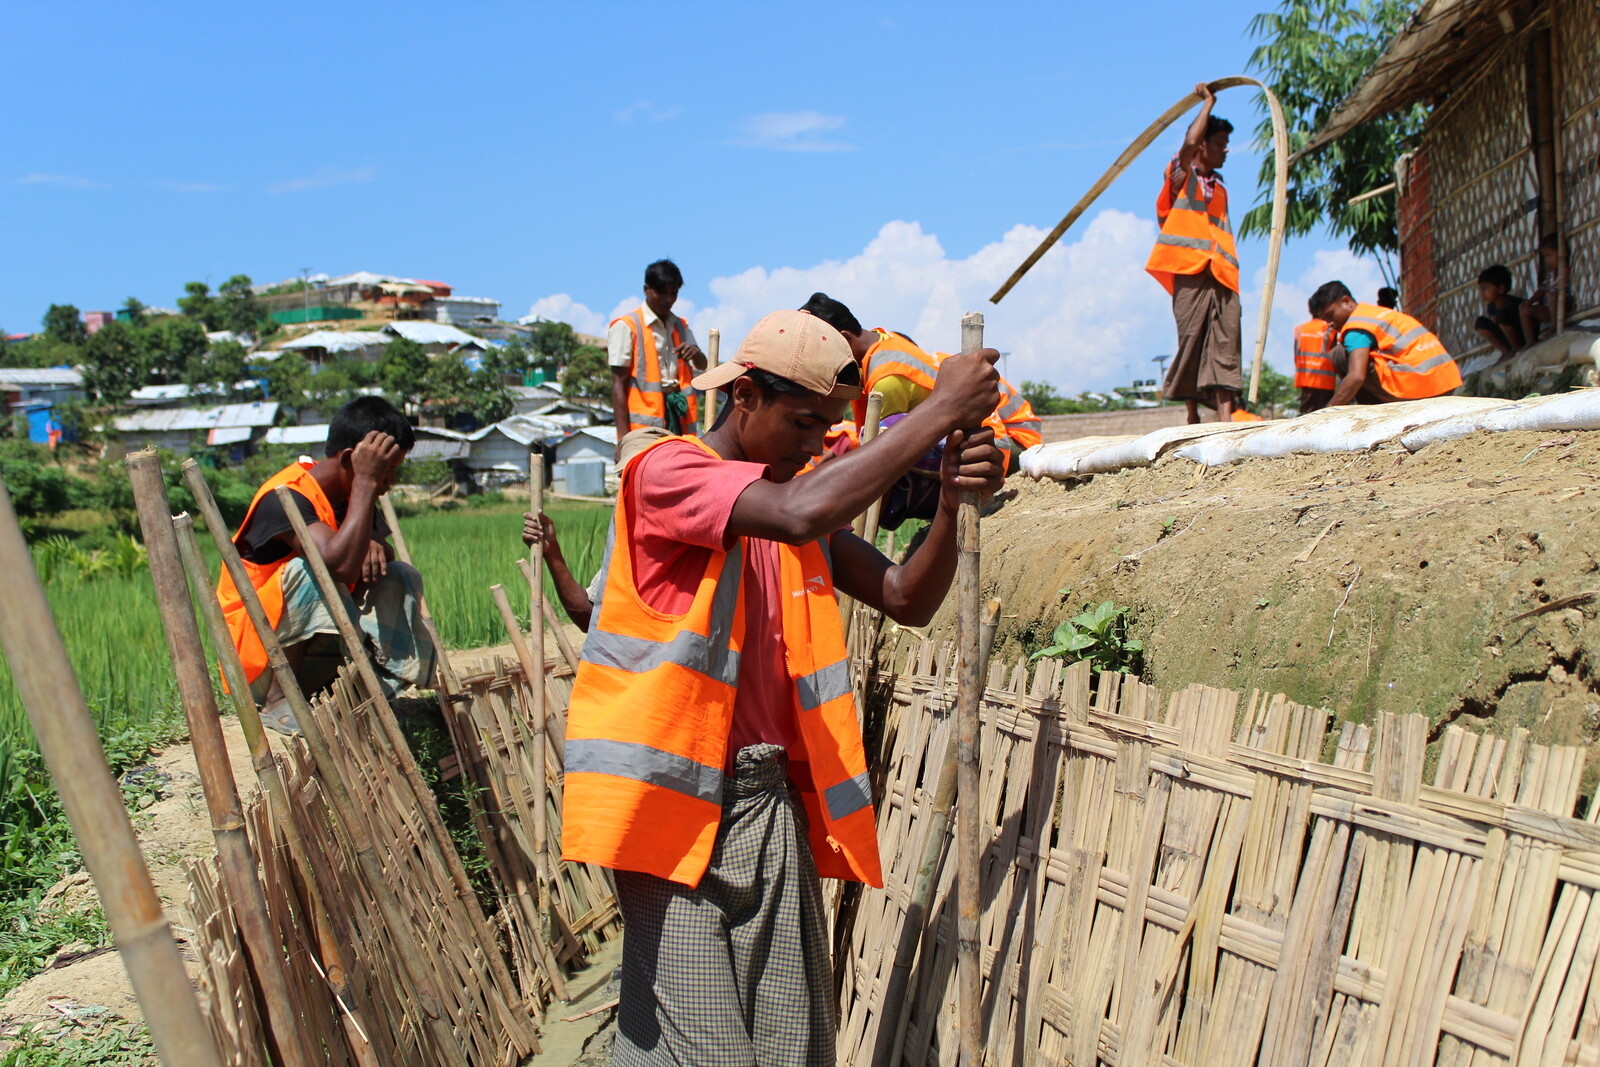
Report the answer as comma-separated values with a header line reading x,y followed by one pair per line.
x,y
903,158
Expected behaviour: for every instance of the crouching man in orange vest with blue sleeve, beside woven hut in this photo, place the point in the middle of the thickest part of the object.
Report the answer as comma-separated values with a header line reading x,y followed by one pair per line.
x,y
1385,354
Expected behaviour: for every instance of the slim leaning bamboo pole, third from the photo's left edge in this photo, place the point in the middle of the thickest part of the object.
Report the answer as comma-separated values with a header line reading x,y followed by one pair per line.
x,y
426,1009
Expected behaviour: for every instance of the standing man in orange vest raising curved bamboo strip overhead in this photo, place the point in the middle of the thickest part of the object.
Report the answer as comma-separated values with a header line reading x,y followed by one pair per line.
x,y
1198,265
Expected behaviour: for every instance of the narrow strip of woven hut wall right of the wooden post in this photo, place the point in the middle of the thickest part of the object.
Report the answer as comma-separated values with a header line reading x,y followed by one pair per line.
x,y
1577,28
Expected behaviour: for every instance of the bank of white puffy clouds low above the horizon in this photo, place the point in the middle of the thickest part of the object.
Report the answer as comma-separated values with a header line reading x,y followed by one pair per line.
x,y
1086,318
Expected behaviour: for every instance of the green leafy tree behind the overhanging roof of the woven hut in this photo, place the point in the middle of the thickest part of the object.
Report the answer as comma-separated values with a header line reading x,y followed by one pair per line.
x,y
1311,55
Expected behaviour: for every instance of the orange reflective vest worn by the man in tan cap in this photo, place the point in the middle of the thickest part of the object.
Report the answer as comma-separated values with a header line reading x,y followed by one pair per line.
x,y
652,709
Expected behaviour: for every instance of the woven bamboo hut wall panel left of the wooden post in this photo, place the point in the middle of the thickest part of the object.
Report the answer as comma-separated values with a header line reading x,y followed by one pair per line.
x,y
1484,193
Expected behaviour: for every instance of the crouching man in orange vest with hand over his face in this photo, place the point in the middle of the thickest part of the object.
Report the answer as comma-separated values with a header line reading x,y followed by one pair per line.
x,y
338,498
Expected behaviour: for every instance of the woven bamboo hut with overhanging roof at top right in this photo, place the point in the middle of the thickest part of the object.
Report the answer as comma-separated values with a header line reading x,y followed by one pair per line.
x,y
1511,154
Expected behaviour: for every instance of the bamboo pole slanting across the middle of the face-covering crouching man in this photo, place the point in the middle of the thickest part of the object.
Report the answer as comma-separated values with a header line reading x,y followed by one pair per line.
x,y
399,749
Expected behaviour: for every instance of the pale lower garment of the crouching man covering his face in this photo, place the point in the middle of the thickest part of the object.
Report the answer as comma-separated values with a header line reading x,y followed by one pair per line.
x,y
388,612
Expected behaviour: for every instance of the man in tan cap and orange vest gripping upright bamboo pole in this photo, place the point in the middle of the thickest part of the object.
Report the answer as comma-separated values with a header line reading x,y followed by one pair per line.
x,y
713,753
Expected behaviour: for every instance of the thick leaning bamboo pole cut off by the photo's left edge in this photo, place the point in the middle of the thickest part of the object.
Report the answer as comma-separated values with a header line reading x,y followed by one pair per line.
x,y
94,802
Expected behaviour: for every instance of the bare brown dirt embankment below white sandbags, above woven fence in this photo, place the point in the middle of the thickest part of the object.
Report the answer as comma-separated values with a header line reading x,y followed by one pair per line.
x,y
1462,581
